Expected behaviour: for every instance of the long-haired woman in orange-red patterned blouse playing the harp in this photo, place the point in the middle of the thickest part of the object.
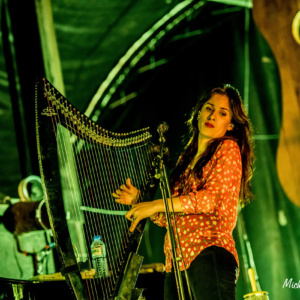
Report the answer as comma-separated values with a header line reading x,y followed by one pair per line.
x,y
211,177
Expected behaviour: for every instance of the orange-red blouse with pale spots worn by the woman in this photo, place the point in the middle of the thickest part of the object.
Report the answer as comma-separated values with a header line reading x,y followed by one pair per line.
x,y
209,212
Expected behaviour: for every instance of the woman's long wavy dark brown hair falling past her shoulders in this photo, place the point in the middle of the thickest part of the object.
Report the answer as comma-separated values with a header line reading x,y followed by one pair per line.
x,y
241,133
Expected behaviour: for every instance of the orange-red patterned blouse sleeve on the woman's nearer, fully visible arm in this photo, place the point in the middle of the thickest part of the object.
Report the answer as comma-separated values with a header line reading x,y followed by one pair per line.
x,y
222,182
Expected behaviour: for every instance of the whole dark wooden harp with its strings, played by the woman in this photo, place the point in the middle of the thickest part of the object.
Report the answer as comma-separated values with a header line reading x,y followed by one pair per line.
x,y
81,164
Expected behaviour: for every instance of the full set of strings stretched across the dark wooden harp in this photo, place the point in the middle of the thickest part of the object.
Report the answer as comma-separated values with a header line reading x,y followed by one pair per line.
x,y
93,164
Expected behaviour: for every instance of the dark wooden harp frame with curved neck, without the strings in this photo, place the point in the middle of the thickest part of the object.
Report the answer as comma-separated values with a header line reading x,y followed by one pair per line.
x,y
49,104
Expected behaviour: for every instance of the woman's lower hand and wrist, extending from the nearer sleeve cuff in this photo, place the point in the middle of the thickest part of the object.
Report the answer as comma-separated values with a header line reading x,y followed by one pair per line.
x,y
142,211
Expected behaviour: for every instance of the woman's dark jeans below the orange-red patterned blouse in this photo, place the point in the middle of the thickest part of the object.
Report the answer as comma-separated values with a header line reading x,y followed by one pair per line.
x,y
212,276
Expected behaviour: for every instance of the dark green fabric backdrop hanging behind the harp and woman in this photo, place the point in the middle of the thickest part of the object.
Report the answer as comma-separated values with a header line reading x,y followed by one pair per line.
x,y
217,43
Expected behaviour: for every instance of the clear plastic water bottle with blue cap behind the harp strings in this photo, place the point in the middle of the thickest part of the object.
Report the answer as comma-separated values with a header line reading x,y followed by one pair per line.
x,y
99,257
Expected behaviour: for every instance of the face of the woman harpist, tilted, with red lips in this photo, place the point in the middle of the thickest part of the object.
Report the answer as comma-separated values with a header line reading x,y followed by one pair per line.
x,y
214,119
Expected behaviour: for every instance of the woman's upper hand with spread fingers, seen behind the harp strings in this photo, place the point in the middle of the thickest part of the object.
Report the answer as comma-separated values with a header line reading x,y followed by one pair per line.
x,y
127,194
